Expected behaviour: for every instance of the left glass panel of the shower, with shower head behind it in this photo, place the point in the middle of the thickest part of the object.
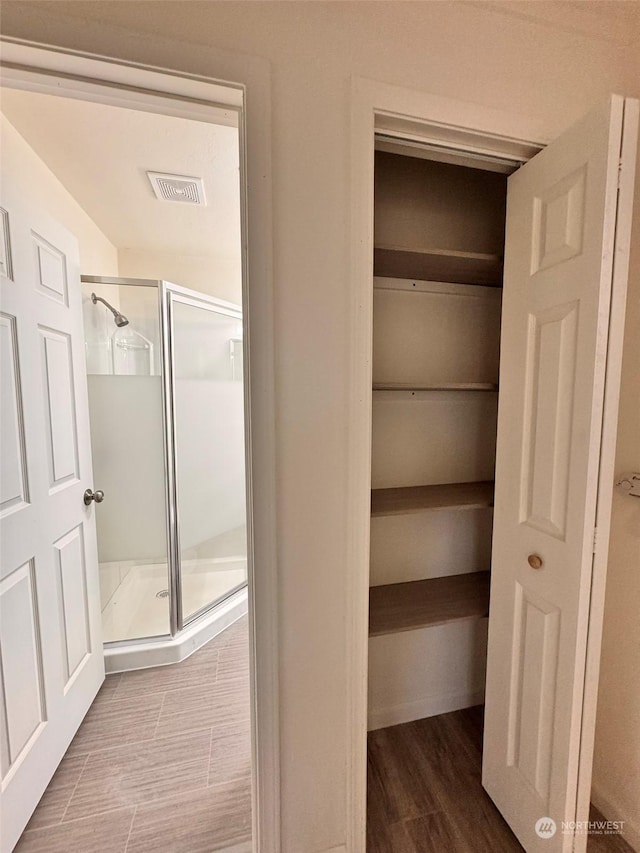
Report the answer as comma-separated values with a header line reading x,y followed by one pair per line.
x,y
125,407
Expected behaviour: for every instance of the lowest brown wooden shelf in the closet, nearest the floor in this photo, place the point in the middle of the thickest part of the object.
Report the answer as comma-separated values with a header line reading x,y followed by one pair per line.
x,y
419,604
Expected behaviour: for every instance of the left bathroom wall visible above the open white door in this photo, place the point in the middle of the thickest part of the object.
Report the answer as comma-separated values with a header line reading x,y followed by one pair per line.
x,y
97,254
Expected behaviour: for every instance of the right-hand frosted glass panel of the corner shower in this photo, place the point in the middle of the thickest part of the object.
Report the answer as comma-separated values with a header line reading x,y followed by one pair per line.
x,y
210,479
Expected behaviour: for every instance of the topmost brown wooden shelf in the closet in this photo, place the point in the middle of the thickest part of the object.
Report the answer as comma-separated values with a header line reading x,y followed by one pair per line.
x,y
438,265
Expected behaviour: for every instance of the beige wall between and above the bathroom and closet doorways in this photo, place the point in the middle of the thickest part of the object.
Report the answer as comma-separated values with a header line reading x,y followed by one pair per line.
x,y
467,51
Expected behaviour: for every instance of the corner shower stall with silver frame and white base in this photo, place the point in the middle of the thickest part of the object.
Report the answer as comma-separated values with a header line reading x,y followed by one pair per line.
x,y
166,403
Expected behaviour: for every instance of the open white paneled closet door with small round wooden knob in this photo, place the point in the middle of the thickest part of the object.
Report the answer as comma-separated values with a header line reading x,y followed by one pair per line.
x,y
568,224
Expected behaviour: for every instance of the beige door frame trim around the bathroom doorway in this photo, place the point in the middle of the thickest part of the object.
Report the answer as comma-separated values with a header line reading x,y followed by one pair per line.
x,y
118,81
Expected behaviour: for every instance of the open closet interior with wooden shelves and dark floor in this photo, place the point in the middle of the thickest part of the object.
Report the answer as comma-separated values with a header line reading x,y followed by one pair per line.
x,y
437,295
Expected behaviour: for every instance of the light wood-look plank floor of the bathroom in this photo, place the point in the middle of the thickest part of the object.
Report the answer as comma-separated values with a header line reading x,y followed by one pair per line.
x,y
161,763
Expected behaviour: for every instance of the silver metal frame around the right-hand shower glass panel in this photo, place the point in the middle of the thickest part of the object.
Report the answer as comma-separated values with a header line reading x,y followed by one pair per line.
x,y
169,294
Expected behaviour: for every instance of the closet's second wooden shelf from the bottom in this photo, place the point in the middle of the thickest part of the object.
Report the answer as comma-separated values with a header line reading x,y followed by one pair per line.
x,y
410,499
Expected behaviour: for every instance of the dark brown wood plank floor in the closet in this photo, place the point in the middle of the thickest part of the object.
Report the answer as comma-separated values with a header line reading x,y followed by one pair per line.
x,y
425,793
